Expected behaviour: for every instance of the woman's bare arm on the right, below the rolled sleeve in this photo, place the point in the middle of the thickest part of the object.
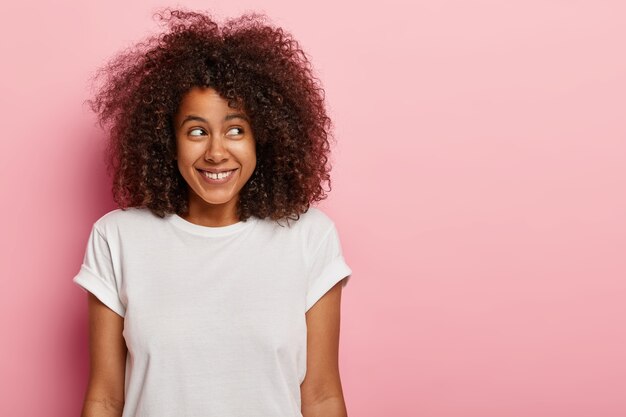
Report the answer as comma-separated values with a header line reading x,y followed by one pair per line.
x,y
321,391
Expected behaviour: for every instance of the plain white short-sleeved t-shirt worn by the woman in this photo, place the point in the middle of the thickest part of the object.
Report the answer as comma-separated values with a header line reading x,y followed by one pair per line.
x,y
214,317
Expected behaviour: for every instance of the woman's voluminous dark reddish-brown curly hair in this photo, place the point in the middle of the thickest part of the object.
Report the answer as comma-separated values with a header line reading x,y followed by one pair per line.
x,y
248,62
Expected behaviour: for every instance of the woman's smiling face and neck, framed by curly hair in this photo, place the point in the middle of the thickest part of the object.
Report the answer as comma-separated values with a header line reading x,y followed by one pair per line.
x,y
215,151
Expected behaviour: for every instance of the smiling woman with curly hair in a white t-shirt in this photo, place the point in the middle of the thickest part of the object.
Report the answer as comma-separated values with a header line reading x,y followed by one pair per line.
x,y
215,288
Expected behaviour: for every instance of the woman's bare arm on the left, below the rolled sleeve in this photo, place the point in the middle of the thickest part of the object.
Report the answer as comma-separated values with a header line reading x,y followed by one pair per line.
x,y
107,350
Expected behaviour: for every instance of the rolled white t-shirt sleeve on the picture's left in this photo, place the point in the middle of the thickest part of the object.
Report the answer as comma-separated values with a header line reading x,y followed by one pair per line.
x,y
97,274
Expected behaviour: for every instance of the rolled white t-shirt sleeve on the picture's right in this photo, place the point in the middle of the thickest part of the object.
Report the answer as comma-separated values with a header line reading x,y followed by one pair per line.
x,y
327,267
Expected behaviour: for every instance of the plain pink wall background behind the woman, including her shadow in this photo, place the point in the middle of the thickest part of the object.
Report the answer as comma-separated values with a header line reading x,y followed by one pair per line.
x,y
478,190
